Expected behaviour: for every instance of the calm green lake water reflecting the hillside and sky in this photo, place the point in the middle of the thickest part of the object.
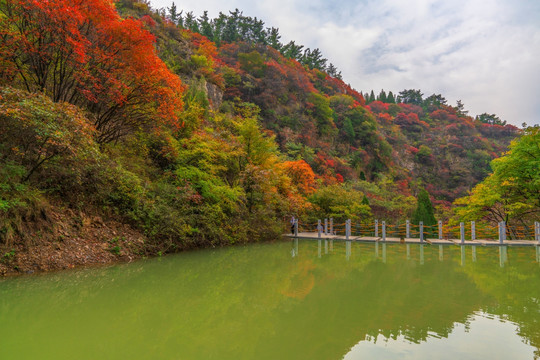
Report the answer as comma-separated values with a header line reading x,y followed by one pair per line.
x,y
284,300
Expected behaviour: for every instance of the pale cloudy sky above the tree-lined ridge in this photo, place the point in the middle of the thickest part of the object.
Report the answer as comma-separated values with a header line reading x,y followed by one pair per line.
x,y
485,53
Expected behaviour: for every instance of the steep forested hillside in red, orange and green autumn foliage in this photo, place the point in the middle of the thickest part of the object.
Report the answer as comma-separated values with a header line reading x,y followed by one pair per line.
x,y
199,132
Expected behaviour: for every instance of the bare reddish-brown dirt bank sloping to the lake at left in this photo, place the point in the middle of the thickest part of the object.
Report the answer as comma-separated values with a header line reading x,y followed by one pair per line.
x,y
65,239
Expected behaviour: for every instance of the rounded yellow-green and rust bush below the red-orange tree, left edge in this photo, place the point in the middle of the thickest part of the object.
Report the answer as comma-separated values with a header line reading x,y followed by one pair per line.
x,y
52,141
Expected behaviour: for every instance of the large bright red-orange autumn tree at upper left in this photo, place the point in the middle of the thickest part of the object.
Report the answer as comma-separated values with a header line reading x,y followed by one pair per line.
x,y
83,52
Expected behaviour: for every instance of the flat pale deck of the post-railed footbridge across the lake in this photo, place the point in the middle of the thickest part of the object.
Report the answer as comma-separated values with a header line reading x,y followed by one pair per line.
x,y
478,242
